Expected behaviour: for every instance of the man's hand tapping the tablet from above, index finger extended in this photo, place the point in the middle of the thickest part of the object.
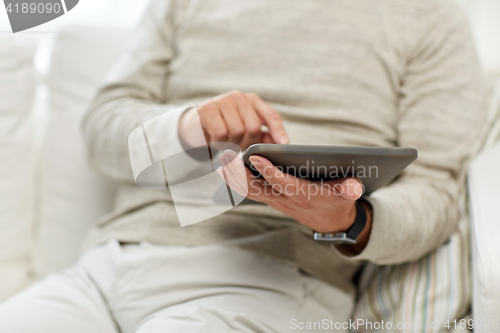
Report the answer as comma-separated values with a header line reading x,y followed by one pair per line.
x,y
233,117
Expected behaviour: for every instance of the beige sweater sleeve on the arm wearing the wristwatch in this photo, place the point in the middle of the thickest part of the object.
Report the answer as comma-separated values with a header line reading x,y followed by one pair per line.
x,y
441,114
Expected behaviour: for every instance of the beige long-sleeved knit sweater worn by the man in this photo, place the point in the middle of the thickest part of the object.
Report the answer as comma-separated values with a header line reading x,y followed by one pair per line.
x,y
347,72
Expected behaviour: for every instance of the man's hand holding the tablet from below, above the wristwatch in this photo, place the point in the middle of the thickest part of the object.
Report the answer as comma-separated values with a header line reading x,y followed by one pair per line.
x,y
327,207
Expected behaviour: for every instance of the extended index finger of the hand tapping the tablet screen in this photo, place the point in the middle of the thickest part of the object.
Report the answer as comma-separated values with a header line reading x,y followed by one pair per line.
x,y
271,118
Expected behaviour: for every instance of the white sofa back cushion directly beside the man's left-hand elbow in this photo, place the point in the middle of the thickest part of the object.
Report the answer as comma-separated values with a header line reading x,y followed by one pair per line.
x,y
72,195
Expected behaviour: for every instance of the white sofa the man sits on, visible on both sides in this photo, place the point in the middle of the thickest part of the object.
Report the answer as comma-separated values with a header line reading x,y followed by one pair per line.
x,y
49,197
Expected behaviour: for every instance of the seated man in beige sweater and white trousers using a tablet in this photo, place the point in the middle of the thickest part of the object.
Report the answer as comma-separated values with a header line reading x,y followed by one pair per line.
x,y
367,73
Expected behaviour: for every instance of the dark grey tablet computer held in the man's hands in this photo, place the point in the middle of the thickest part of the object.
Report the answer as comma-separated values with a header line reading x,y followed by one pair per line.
x,y
374,166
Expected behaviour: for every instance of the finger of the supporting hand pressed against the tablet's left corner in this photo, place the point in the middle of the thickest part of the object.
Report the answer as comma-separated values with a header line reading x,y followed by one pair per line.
x,y
283,183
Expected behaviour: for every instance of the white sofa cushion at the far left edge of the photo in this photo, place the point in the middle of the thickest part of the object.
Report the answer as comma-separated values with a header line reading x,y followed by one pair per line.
x,y
17,84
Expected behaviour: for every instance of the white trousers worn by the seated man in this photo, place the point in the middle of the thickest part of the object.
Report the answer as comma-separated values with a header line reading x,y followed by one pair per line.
x,y
154,289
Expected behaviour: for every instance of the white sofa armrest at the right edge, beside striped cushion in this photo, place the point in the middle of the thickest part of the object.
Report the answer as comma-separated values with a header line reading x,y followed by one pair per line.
x,y
484,194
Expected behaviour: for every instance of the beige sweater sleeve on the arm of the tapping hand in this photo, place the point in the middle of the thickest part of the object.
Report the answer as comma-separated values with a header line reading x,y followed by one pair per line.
x,y
133,93
